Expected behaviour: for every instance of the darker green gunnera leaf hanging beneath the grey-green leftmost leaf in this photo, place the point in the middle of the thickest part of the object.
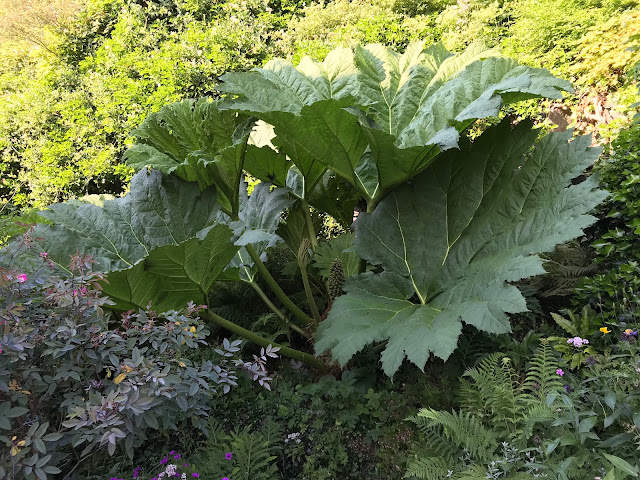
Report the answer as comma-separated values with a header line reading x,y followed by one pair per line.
x,y
171,276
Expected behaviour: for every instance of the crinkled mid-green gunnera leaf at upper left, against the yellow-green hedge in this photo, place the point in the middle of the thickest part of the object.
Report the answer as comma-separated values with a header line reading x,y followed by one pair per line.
x,y
196,141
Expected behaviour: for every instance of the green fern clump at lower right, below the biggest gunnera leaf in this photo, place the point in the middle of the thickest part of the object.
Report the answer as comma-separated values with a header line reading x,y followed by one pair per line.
x,y
496,406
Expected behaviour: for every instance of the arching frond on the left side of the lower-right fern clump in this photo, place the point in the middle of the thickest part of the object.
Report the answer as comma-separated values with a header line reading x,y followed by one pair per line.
x,y
464,430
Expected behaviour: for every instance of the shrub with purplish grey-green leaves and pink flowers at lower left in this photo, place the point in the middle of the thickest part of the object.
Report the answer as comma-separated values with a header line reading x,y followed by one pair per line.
x,y
67,378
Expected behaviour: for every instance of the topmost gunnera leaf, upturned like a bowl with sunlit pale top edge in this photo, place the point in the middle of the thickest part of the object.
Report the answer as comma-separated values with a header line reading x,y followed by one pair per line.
x,y
377,117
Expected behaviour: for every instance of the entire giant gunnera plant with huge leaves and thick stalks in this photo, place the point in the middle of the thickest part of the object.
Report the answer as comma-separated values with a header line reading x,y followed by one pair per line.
x,y
391,115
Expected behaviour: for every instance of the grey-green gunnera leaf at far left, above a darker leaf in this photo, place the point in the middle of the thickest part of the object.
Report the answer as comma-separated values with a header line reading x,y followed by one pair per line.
x,y
158,210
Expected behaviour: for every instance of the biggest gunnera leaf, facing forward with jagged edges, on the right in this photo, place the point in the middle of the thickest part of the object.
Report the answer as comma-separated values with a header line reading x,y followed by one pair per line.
x,y
451,241
